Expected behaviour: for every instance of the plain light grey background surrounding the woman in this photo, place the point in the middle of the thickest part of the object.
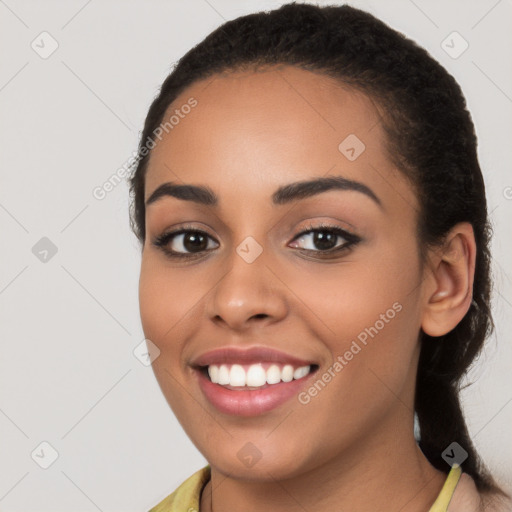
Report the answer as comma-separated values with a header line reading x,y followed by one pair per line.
x,y
69,324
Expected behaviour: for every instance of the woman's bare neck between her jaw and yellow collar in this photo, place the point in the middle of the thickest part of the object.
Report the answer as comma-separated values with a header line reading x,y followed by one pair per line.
x,y
384,473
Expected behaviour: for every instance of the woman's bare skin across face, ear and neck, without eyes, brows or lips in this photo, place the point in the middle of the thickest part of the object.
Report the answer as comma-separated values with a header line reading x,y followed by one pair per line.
x,y
352,446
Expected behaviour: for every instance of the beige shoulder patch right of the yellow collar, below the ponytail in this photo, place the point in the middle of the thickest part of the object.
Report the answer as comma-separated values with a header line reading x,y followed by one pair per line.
x,y
467,498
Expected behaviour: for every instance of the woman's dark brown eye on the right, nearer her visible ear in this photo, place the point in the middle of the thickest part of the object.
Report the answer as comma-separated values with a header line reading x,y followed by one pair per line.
x,y
325,239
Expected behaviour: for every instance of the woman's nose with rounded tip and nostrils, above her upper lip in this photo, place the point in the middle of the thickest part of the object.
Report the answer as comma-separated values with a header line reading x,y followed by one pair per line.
x,y
248,294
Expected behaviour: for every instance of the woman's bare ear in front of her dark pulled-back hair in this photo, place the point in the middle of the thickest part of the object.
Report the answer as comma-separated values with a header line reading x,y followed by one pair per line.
x,y
449,282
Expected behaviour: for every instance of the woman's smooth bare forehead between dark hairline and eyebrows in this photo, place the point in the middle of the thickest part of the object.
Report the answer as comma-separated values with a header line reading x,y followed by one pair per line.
x,y
257,130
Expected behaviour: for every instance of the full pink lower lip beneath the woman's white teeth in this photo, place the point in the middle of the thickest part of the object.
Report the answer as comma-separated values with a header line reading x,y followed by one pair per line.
x,y
250,402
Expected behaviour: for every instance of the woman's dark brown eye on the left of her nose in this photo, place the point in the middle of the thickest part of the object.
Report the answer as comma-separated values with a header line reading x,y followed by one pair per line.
x,y
185,242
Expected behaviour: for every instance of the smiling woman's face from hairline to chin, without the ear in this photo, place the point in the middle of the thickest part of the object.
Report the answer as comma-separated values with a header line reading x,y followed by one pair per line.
x,y
330,275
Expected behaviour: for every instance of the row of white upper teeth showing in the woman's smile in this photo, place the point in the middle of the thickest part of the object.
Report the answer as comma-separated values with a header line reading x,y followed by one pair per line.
x,y
254,375
